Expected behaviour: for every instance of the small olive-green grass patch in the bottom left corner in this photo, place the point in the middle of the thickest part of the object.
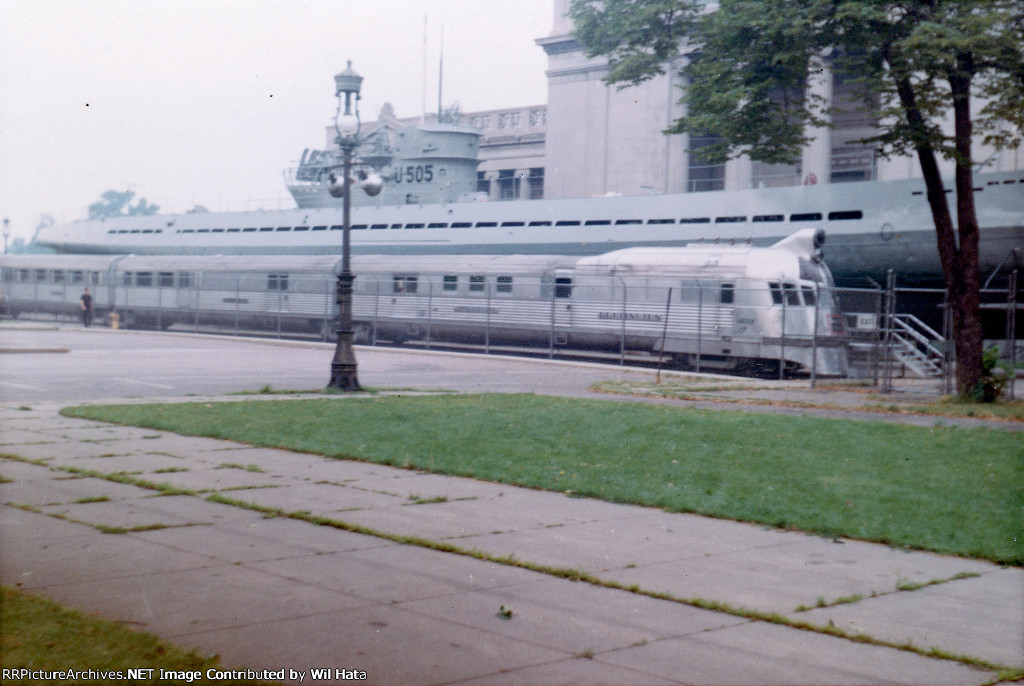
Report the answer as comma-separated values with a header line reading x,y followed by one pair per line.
x,y
38,634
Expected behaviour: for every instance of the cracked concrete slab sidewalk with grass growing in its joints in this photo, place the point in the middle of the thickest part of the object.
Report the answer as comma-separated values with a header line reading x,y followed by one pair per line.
x,y
284,593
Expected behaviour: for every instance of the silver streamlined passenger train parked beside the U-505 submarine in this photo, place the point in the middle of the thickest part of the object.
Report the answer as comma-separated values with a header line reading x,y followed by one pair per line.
x,y
712,306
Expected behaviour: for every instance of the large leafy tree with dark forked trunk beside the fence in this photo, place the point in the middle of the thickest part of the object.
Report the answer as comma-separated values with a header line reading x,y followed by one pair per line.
x,y
752,66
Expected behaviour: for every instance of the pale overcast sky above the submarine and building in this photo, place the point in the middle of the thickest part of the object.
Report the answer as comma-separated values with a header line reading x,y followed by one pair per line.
x,y
207,102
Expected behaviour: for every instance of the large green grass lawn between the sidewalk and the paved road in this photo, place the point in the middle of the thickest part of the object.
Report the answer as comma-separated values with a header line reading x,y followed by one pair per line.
x,y
944,489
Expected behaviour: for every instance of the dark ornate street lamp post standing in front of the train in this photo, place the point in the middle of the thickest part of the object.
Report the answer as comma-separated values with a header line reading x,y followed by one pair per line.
x,y
347,123
